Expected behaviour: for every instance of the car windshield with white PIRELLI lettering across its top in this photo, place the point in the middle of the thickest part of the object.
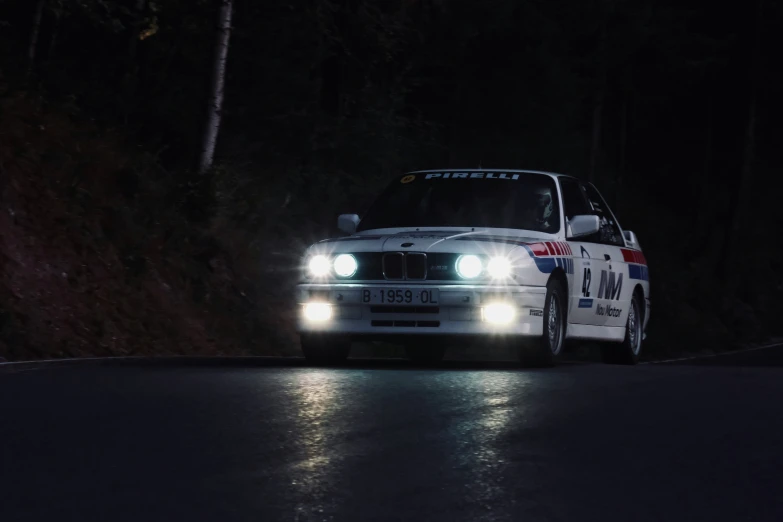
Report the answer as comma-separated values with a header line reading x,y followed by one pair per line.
x,y
519,200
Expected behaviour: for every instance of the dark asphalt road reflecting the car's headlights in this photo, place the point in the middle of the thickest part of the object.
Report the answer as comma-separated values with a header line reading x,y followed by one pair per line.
x,y
277,440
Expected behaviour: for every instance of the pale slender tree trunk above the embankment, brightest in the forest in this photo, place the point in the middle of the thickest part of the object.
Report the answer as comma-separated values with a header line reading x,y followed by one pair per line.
x,y
215,107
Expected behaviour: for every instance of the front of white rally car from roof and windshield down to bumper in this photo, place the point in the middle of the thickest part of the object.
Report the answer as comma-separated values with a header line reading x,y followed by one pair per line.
x,y
439,254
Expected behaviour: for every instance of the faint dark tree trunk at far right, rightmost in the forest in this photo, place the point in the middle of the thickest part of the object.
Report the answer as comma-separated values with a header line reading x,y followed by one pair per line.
x,y
731,269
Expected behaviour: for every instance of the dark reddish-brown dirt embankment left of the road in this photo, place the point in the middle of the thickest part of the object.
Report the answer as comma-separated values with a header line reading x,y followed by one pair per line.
x,y
95,259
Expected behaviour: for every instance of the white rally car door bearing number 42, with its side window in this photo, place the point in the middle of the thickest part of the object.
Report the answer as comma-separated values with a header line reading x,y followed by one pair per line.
x,y
589,258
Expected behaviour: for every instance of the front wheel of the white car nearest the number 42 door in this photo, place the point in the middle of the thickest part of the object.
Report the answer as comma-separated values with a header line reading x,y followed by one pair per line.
x,y
546,350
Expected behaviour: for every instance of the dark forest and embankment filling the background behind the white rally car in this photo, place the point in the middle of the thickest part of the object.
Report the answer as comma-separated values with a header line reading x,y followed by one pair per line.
x,y
112,241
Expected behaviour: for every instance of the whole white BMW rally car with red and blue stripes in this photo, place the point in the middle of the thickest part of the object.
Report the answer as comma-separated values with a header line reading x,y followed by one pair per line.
x,y
532,258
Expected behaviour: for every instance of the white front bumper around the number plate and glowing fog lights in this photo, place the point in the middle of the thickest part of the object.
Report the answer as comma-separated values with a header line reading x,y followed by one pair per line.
x,y
459,311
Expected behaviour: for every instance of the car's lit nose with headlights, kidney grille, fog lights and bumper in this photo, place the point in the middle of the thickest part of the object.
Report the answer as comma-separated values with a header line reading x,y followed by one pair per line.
x,y
406,291
